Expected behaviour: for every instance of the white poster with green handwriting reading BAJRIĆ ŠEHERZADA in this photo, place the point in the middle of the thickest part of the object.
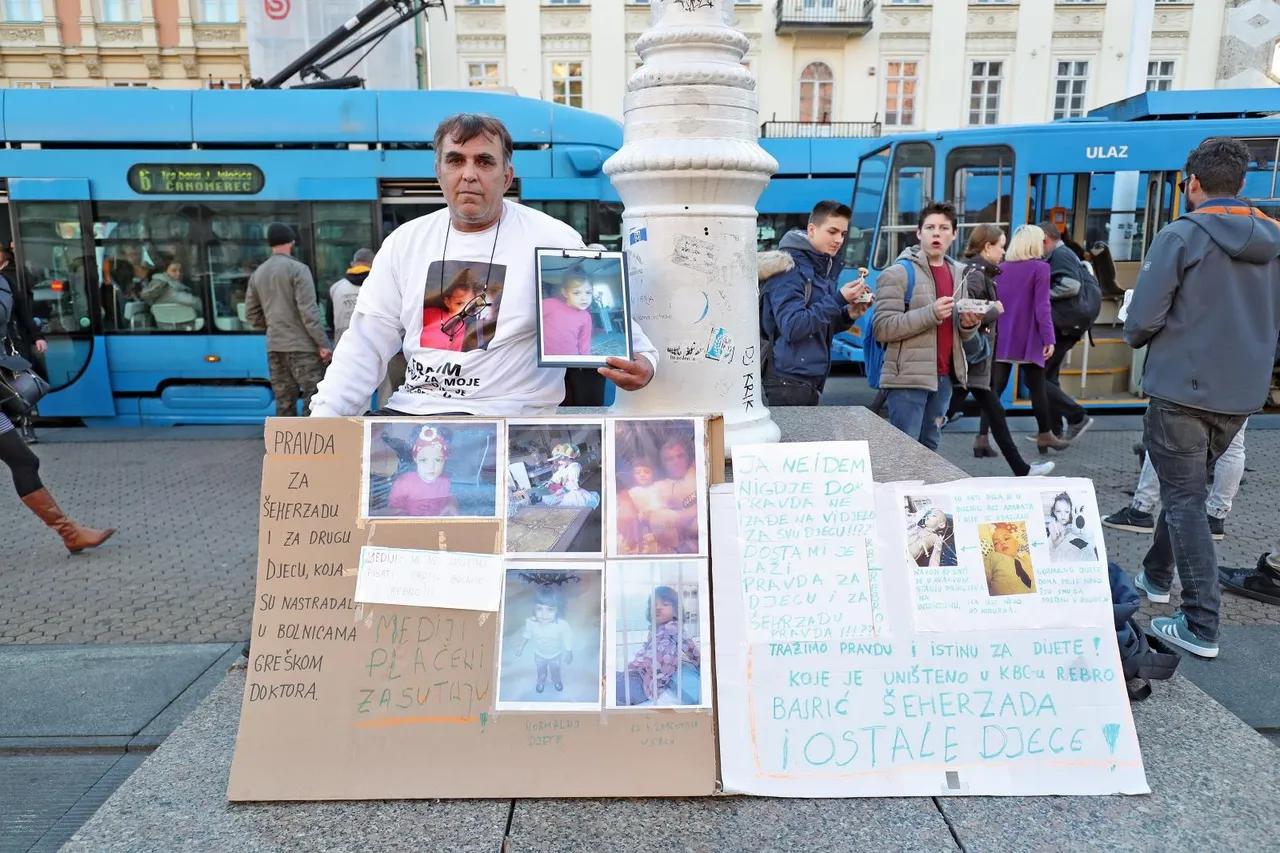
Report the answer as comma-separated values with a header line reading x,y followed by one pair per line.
x,y
1003,697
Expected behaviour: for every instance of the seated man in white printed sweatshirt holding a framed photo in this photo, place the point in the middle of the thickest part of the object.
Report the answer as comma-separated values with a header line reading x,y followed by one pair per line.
x,y
459,288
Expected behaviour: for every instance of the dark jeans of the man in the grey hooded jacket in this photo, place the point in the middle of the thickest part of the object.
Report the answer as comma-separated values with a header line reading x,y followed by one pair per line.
x,y
1182,445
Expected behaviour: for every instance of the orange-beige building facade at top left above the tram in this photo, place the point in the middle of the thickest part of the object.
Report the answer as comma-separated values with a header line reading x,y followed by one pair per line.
x,y
158,44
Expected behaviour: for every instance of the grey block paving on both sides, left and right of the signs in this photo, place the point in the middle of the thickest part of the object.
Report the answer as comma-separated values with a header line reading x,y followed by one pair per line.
x,y
181,567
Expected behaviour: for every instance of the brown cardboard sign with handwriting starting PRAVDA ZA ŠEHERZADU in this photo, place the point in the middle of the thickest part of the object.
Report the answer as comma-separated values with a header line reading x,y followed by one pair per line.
x,y
350,701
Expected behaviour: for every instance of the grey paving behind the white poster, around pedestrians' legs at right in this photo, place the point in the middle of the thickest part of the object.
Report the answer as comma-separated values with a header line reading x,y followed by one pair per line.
x,y
1108,459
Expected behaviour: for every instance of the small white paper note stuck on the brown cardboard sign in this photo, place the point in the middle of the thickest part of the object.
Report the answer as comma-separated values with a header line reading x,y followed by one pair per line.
x,y
429,580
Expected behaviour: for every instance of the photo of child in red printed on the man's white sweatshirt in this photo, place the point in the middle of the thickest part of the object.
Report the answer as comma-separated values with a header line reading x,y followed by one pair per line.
x,y
461,304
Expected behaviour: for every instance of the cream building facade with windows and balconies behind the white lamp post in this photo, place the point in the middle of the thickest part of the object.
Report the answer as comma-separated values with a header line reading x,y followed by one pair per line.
x,y
908,65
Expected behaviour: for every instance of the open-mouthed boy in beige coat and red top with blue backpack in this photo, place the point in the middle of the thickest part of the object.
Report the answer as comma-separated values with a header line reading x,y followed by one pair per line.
x,y
920,346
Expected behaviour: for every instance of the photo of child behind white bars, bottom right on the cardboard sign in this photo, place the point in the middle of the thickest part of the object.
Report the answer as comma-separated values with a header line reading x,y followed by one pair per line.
x,y
657,630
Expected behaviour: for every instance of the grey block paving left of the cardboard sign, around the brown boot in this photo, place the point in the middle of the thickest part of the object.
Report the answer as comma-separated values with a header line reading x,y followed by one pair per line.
x,y
180,568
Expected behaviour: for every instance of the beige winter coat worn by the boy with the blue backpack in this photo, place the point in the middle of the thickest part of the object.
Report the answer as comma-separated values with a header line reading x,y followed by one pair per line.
x,y
911,334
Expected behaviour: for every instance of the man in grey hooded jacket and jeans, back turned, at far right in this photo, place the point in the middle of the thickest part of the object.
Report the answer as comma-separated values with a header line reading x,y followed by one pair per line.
x,y
1208,308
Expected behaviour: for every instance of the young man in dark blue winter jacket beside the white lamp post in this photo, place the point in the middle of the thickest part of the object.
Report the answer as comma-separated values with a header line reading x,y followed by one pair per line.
x,y
803,307
